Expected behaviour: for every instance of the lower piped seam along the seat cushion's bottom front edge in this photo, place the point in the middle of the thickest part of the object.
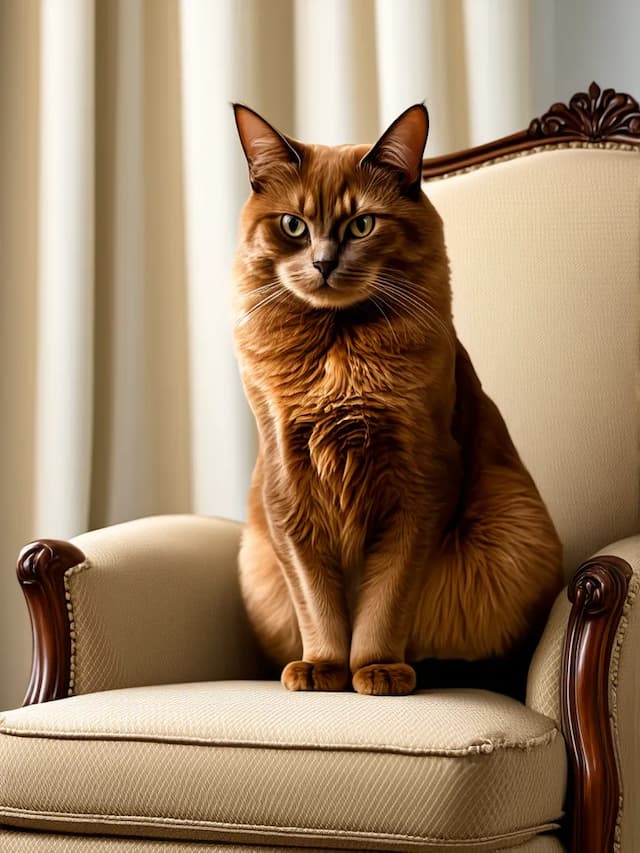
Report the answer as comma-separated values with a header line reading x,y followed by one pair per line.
x,y
139,820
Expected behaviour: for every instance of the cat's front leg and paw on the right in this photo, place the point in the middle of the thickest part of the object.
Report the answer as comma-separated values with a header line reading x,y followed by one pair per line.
x,y
384,615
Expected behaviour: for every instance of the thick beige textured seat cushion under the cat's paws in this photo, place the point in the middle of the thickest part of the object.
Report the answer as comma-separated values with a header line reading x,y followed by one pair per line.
x,y
249,763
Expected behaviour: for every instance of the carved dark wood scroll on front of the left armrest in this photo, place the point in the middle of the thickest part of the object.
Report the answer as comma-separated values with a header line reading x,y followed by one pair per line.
x,y
41,568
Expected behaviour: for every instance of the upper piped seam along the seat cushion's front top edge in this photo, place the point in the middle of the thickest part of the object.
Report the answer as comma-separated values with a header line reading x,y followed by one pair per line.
x,y
484,747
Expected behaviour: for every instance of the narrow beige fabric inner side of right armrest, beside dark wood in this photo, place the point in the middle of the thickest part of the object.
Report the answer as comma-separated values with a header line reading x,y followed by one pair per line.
x,y
543,682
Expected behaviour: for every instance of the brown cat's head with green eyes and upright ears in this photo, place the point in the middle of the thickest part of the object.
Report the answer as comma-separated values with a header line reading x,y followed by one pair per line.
x,y
335,225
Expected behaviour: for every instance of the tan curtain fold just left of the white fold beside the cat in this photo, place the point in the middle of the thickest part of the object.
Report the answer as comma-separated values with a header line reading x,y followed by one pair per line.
x,y
167,430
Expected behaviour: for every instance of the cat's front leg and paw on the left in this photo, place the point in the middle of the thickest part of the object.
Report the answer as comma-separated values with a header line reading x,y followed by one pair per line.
x,y
317,592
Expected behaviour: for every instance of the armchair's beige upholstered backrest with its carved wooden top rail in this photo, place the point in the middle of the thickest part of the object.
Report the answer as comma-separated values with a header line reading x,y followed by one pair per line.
x,y
543,233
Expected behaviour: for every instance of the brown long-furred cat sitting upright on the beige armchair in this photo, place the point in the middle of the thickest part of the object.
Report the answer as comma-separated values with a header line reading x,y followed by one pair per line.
x,y
390,518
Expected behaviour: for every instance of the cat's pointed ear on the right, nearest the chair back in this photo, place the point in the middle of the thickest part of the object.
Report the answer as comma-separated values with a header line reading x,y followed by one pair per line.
x,y
401,146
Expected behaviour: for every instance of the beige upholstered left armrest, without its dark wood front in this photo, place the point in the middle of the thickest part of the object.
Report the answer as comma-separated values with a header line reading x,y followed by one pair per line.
x,y
158,601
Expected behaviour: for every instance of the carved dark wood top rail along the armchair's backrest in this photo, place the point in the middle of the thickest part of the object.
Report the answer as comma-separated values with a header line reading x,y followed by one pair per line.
x,y
591,117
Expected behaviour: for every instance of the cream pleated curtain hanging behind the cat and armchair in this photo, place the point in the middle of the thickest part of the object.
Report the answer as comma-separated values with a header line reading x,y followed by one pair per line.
x,y
121,181
